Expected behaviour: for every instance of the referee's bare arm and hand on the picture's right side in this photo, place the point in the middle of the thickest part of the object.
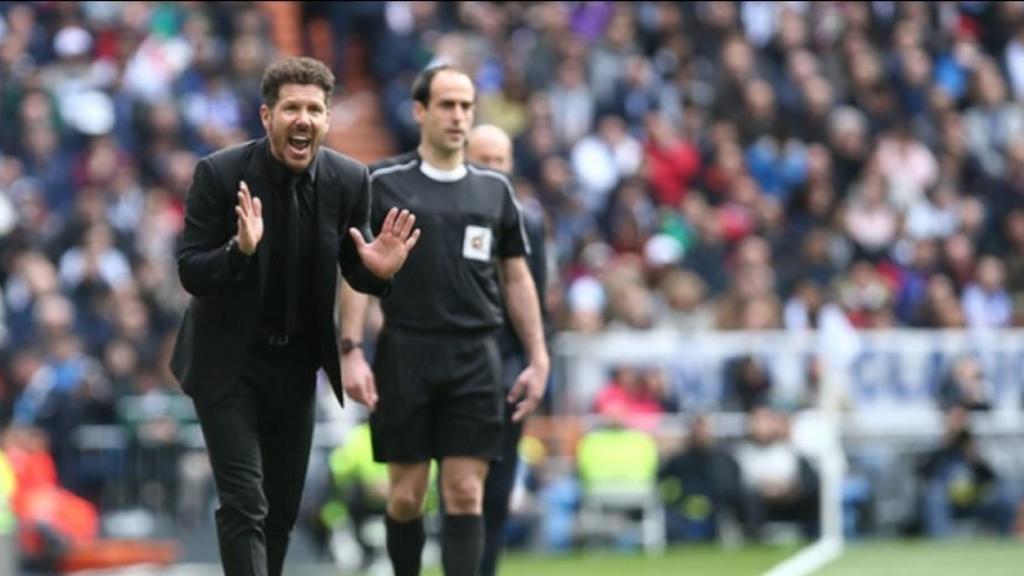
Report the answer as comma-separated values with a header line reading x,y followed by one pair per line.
x,y
525,312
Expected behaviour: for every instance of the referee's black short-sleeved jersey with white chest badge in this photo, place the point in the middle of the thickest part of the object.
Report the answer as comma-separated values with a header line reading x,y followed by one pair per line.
x,y
470,219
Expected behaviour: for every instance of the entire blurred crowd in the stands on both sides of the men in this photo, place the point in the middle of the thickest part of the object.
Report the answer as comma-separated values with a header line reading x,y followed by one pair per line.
x,y
709,166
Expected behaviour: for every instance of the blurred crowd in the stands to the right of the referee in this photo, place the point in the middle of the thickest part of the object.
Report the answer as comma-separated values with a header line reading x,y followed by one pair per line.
x,y
748,166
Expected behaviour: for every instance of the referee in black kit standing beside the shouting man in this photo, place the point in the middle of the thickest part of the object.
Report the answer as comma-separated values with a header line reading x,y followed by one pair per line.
x,y
436,390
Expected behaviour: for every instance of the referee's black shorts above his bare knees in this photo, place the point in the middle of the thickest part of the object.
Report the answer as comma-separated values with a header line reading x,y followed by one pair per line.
x,y
439,396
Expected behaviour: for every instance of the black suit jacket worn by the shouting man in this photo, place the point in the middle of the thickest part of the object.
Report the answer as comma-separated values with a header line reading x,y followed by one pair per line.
x,y
223,316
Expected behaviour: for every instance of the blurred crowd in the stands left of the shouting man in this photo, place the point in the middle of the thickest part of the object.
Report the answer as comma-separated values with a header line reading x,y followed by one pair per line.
x,y
106,109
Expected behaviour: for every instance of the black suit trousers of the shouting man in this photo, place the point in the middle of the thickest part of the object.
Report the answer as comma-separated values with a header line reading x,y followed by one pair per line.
x,y
259,438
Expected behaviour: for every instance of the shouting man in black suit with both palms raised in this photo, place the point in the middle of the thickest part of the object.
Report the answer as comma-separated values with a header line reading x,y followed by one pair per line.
x,y
265,235
